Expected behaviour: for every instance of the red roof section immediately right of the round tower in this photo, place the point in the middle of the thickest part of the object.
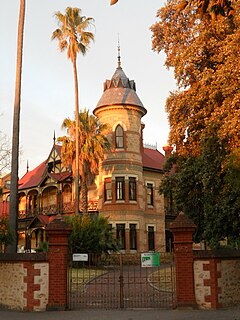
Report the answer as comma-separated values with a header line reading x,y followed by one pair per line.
x,y
152,159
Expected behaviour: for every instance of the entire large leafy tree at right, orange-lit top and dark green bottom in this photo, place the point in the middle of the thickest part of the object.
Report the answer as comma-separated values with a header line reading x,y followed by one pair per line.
x,y
204,117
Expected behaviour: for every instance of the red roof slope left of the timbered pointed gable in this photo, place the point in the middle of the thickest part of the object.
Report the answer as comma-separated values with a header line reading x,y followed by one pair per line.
x,y
32,178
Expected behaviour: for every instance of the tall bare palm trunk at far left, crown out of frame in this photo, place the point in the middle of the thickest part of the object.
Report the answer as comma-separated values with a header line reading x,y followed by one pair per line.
x,y
15,135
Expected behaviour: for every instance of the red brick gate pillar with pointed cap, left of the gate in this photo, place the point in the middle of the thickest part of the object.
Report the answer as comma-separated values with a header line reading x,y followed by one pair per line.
x,y
57,232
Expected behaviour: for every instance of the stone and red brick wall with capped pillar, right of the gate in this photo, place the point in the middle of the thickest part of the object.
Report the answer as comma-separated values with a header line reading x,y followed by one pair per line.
x,y
204,279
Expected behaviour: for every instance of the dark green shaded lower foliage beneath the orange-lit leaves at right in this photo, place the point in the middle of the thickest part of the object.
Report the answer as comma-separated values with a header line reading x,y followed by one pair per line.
x,y
207,188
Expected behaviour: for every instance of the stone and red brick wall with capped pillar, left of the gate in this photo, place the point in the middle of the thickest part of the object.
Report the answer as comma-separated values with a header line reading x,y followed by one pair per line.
x,y
37,282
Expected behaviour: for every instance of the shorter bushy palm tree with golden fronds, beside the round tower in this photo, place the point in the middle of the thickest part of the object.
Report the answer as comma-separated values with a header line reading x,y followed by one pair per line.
x,y
93,145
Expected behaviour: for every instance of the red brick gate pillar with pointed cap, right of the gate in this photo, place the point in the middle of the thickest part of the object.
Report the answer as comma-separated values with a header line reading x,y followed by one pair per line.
x,y
183,229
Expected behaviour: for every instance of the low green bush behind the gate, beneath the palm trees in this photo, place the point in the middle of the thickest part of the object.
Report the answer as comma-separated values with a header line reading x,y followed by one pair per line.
x,y
91,235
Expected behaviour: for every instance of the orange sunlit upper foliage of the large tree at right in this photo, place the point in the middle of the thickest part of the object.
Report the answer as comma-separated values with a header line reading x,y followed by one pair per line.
x,y
207,73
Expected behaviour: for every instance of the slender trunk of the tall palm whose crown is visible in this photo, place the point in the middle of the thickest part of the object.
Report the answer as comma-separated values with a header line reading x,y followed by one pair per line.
x,y
77,137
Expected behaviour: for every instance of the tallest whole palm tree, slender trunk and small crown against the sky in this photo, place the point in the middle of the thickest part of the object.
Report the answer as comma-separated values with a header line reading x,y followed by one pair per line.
x,y
72,35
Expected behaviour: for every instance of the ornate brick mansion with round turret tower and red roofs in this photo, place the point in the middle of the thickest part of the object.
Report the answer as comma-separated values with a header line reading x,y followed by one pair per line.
x,y
125,190
